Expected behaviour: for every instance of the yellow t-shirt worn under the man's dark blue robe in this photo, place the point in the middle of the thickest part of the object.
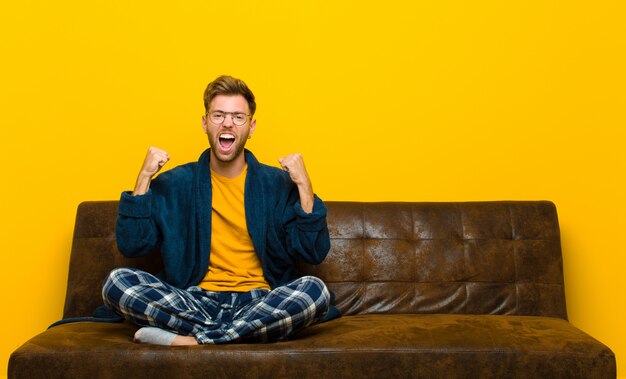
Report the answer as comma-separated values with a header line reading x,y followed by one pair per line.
x,y
234,265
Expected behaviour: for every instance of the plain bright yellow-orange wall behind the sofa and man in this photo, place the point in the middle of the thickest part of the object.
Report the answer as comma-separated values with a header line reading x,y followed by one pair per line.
x,y
395,100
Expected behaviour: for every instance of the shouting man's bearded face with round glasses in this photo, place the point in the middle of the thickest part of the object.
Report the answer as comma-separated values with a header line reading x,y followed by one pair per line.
x,y
226,138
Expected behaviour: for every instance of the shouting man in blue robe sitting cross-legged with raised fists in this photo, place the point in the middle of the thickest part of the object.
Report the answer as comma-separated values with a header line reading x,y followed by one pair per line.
x,y
229,230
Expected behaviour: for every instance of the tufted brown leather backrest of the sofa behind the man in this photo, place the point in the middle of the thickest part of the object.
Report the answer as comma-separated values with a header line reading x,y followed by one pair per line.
x,y
499,257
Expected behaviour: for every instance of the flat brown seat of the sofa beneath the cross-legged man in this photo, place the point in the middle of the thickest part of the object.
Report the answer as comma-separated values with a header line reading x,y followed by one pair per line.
x,y
371,345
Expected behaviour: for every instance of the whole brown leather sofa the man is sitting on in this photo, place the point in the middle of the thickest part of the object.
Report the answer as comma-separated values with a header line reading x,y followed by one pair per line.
x,y
427,290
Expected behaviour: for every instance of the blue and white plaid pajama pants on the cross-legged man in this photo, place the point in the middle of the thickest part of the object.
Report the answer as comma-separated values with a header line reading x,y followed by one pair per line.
x,y
216,317
